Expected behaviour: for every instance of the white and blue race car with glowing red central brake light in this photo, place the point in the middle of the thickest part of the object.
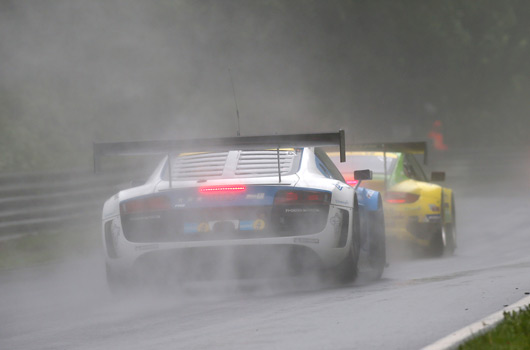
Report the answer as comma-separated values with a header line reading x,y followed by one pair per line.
x,y
243,206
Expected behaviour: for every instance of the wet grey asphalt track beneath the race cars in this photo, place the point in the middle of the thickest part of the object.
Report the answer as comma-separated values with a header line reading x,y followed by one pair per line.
x,y
418,301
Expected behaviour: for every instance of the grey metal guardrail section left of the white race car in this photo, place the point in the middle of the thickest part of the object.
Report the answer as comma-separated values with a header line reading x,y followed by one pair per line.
x,y
34,202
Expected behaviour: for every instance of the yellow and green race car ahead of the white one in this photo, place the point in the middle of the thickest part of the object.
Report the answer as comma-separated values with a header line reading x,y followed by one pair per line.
x,y
417,209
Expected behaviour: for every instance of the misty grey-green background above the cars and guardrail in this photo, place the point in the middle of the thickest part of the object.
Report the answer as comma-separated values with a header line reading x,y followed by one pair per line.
x,y
75,71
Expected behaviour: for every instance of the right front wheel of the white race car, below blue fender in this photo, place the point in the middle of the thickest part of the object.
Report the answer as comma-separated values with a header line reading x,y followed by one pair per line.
x,y
377,253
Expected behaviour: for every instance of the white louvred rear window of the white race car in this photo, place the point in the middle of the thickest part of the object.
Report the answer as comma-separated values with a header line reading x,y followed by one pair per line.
x,y
233,164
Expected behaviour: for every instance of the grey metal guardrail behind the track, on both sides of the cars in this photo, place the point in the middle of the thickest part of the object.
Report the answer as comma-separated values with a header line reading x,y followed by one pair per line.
x,y
34,202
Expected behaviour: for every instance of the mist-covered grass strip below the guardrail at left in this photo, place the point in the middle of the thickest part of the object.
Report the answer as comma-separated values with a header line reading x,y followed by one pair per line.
x,y
48,246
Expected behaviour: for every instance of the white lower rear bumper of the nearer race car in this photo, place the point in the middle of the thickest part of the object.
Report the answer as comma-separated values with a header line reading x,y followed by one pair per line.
x,y
328,248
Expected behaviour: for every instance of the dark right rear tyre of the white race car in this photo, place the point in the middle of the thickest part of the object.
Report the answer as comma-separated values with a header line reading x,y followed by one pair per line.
x,y
347,270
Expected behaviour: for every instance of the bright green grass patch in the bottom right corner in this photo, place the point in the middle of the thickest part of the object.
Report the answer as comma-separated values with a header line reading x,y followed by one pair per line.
x,y
513,333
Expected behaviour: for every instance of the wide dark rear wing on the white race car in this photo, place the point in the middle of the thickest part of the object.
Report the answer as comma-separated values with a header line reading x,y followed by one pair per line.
x,y
226,143
